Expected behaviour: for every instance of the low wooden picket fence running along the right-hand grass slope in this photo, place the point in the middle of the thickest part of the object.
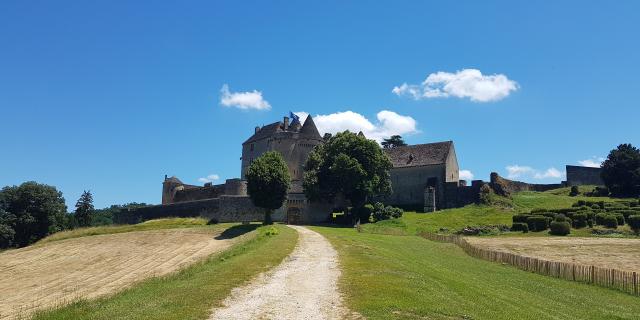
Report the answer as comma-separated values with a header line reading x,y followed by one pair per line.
x,y
626,281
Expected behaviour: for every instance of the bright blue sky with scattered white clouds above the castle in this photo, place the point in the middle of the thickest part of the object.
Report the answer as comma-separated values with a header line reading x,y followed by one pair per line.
x,y
112,95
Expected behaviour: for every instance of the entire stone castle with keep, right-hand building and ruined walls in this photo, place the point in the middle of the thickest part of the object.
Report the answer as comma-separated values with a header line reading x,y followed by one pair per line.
x,y
424,177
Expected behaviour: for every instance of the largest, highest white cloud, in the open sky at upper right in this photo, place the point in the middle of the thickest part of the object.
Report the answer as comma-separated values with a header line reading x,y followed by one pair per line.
x,y
466,83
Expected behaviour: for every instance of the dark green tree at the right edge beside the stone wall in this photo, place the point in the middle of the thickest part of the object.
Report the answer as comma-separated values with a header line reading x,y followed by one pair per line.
x,y
621,171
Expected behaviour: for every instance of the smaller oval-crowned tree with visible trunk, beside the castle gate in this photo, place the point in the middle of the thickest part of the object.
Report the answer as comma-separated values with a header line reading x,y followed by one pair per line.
x,y
268,181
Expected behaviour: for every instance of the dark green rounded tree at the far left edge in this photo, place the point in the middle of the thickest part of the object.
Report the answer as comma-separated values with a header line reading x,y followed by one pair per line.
x,y
32,211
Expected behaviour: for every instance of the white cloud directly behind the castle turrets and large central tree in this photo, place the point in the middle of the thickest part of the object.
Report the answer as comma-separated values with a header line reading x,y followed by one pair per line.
x,y
389,123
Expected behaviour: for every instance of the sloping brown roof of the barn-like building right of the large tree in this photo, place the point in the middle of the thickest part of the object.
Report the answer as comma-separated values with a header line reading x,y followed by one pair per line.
x,y
419,154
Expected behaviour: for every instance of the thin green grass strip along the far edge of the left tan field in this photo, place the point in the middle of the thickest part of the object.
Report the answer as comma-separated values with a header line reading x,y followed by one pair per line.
x,y
168,223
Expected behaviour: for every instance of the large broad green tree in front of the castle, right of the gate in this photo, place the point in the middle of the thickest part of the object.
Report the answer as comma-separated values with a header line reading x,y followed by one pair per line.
x,y
349,165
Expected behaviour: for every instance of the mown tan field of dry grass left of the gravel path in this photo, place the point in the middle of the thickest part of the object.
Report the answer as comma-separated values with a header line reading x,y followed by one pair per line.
x,y
58,272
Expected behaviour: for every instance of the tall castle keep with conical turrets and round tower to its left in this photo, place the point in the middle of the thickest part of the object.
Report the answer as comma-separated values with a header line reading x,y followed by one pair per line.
x,y
225,202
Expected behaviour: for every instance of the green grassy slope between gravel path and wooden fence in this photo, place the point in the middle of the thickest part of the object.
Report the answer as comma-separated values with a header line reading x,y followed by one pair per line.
x,y
407,277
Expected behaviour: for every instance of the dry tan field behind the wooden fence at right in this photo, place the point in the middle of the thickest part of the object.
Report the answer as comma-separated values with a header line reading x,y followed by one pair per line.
x,y
621,254
